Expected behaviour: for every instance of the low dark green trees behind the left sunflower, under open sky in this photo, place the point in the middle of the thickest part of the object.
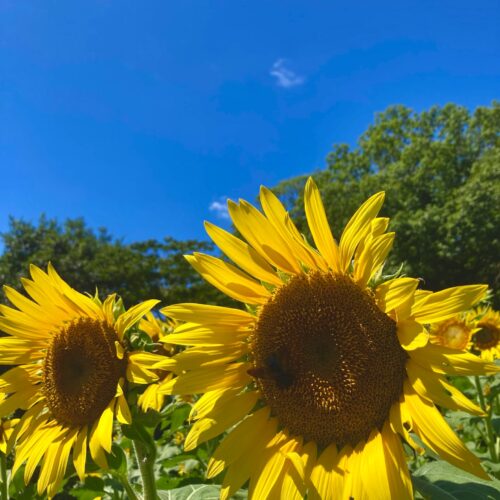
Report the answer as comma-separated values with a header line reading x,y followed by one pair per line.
x,y
88,259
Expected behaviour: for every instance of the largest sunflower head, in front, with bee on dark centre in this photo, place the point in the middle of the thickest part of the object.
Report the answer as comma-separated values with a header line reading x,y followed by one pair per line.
x,y
325,373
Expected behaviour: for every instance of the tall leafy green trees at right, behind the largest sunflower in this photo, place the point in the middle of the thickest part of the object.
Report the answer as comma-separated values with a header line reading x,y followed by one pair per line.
x,y
441,173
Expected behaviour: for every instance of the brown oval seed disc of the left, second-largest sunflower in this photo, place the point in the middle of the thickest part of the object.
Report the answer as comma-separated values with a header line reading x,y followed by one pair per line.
x,y
81,371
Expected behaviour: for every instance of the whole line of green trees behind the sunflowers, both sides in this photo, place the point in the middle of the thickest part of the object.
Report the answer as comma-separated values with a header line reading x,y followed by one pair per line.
x,y
440,170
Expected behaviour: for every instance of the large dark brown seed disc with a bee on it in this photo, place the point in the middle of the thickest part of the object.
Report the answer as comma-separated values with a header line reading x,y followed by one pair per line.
x,y
327,360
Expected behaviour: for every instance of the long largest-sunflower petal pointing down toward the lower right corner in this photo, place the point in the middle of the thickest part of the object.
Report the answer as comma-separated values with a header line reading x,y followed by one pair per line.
x,y
437,435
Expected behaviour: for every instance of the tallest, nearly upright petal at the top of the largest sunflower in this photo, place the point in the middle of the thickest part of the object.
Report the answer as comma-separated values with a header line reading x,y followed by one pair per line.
x,y
319,226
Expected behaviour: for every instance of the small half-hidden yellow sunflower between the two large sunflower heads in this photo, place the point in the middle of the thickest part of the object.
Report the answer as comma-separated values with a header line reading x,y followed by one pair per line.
x,y
156,329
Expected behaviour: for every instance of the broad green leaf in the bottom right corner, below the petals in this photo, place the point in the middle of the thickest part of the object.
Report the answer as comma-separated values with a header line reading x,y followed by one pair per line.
x,y
441,481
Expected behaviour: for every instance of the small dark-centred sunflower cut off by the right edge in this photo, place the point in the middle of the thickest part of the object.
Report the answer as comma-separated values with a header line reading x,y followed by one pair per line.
x,y
486,339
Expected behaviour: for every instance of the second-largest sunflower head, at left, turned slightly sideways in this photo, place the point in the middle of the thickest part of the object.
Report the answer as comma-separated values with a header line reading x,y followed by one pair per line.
x,y
73,362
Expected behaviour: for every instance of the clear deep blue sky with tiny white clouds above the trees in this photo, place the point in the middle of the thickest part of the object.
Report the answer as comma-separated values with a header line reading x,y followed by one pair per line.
x,y
144,116
